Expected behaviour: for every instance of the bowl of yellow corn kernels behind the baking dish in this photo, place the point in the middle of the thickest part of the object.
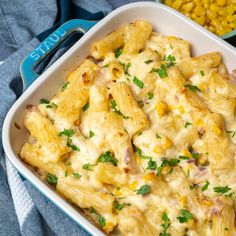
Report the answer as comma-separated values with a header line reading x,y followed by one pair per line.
x,y
218,16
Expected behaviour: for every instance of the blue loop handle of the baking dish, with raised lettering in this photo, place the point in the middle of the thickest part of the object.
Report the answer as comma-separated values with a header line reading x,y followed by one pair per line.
x,y
28,65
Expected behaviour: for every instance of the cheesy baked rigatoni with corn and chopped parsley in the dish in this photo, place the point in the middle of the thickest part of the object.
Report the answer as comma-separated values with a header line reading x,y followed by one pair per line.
x,y
141,137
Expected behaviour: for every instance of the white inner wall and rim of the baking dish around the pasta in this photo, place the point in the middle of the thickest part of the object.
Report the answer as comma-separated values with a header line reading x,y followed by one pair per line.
x,y
164,19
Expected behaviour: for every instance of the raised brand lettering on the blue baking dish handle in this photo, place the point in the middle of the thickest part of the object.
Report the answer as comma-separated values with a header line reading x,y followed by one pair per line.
x,y
48,44
